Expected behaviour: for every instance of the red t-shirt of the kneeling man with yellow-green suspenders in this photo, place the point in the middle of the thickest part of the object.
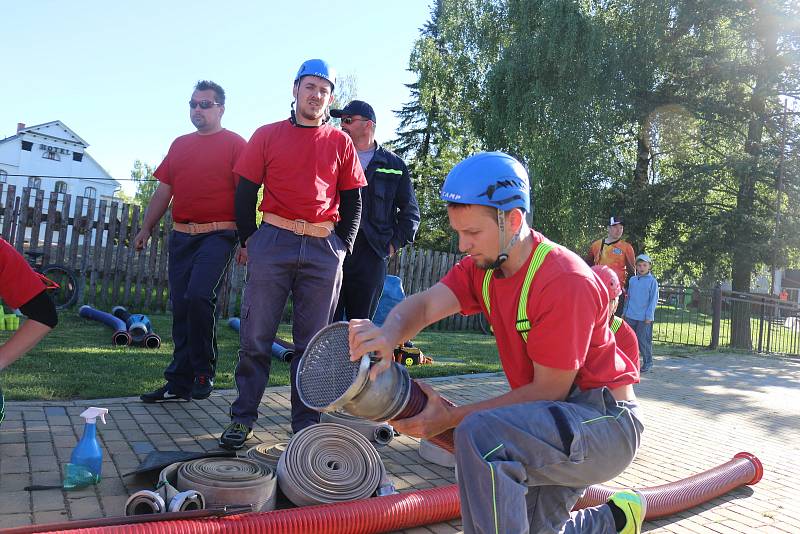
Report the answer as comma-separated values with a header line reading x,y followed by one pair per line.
x,y
568,312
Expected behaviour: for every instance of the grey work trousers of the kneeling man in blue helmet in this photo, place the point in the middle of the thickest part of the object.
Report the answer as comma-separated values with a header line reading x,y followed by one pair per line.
x,y
540,457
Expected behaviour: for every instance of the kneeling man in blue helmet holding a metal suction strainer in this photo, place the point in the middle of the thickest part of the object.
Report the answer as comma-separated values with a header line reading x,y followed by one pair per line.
x,y
571,418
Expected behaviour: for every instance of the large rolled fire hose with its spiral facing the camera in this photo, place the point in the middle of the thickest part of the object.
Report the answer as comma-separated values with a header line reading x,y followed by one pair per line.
x,y
328,463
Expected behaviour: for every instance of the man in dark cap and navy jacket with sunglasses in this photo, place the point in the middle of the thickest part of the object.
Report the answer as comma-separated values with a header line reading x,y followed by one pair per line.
x,y
389,215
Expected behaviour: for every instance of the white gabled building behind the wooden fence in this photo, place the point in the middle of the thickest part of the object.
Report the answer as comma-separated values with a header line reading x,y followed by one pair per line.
x,y
52,157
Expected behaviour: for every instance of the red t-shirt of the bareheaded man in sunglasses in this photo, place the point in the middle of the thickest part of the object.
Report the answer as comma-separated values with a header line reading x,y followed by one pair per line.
x,y
199,169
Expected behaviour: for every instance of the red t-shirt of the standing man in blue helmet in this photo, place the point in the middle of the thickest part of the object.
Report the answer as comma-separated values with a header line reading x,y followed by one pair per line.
x,y
302,169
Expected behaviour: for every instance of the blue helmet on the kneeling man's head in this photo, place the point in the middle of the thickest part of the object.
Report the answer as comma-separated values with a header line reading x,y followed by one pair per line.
x,y
492,179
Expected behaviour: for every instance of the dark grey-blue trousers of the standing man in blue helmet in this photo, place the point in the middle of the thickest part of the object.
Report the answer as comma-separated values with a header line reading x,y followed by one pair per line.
x,y
280,262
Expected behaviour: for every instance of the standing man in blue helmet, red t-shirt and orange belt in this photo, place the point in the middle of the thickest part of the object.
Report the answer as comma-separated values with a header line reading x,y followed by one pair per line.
x,y
312,208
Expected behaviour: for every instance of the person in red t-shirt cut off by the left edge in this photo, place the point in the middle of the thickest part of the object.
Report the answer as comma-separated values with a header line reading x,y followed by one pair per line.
x,y
22,288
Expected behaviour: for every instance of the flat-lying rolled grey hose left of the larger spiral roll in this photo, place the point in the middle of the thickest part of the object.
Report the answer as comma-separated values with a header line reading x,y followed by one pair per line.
x,y
229,481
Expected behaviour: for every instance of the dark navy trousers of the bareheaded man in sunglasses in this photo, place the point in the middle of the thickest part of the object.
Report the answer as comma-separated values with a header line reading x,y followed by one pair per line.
x,y
197,264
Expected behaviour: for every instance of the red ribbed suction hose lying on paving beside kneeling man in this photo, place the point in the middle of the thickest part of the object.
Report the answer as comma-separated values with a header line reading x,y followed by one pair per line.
x,y
413,509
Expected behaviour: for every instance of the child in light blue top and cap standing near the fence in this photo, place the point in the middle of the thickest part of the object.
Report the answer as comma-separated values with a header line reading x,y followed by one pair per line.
x,y
640,308
